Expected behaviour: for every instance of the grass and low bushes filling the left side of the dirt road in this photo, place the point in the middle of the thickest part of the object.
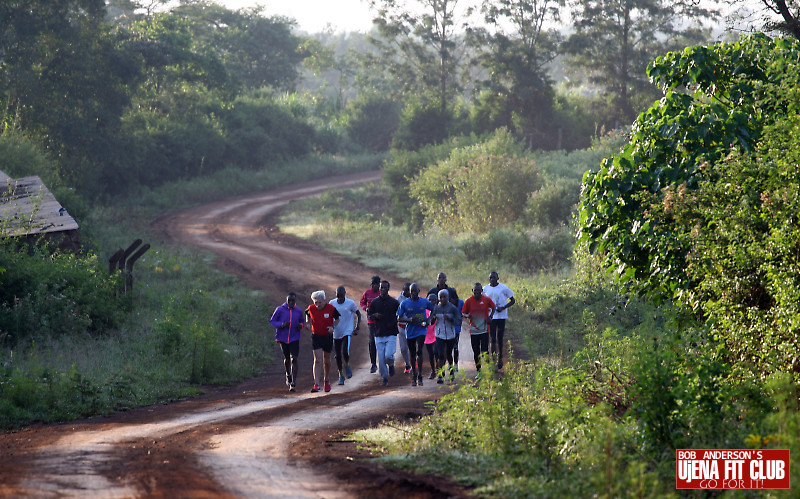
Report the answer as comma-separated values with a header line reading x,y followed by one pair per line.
x,y
74,345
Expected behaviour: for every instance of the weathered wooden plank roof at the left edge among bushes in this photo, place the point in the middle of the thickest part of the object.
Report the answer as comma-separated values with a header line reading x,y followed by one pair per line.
x,y
28,210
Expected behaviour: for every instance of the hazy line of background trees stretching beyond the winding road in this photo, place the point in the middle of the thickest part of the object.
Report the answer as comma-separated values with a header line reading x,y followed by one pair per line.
x,y
115,95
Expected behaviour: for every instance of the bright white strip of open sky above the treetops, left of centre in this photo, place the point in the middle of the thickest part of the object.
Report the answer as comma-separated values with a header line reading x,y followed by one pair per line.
x,y
314,15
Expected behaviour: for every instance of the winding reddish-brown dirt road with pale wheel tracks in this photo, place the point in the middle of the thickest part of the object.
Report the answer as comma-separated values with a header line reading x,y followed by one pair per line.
x,y
255,439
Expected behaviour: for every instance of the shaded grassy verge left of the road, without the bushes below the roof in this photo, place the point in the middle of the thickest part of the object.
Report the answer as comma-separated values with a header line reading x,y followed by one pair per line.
x,y
190,325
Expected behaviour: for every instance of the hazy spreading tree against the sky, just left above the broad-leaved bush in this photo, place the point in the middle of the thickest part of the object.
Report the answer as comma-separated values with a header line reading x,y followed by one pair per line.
x,y
615,39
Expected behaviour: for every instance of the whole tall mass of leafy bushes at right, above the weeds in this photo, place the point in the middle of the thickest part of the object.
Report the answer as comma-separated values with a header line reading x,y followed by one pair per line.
x,y
672,216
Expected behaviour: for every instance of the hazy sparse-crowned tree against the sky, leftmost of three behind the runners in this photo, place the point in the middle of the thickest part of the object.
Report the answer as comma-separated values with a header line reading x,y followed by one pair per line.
x,y
418,45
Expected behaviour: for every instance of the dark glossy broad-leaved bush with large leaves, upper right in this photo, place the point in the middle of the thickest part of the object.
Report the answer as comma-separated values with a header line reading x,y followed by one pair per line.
x,y
733,91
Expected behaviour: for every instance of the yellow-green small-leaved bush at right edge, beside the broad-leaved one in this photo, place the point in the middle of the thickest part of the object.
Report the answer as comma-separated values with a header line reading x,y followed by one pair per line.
x,y
746,251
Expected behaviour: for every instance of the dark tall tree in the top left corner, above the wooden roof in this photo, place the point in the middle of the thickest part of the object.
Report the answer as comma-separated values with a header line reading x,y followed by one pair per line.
x,y
63,79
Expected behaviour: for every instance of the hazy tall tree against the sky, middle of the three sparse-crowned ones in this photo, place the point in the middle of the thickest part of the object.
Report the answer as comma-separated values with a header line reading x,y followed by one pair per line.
x,y
514,46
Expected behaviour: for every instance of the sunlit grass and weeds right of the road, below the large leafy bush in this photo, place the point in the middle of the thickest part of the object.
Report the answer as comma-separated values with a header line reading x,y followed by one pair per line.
x,y
603,388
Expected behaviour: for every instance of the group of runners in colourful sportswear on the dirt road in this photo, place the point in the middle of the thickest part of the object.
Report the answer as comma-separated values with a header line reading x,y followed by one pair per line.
x,y
417,322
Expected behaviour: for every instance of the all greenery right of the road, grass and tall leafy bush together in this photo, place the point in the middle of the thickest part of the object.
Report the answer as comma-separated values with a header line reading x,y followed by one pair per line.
x,y
616,370
